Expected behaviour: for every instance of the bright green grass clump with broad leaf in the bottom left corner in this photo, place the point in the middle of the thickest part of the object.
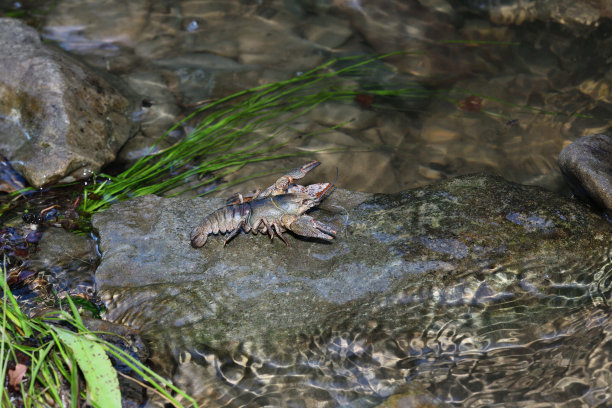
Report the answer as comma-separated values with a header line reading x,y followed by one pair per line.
x,y
57,355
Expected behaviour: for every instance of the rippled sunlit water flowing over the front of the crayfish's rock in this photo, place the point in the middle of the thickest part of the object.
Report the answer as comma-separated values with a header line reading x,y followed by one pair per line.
x,y
550,349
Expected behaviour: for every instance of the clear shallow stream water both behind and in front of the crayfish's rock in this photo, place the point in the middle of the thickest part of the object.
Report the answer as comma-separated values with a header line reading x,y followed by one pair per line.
x,y
477,355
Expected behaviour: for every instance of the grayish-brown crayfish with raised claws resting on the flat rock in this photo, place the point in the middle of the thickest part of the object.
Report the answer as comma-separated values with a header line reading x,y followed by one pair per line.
x,y
278,208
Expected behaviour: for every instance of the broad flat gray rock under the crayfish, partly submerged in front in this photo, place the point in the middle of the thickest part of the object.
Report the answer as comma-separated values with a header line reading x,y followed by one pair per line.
x,y
437,285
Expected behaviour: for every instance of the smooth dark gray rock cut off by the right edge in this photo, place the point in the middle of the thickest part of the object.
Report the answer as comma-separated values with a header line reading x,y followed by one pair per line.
x,y
587,164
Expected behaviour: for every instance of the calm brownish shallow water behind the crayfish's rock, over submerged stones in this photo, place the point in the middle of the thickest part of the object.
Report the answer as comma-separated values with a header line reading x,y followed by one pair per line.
x,y
182,54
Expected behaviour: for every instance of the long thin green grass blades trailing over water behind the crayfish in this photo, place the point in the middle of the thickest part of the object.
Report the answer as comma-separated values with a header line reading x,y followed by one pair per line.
x,y
224,140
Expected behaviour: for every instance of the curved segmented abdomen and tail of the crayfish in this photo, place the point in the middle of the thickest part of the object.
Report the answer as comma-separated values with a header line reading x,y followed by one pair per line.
x,y
220,221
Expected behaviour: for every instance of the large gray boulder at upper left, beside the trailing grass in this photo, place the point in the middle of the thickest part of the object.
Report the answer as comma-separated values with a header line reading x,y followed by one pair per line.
x,y
58,118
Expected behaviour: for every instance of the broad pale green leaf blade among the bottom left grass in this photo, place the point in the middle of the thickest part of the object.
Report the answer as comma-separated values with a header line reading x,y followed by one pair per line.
x,y
99,373
